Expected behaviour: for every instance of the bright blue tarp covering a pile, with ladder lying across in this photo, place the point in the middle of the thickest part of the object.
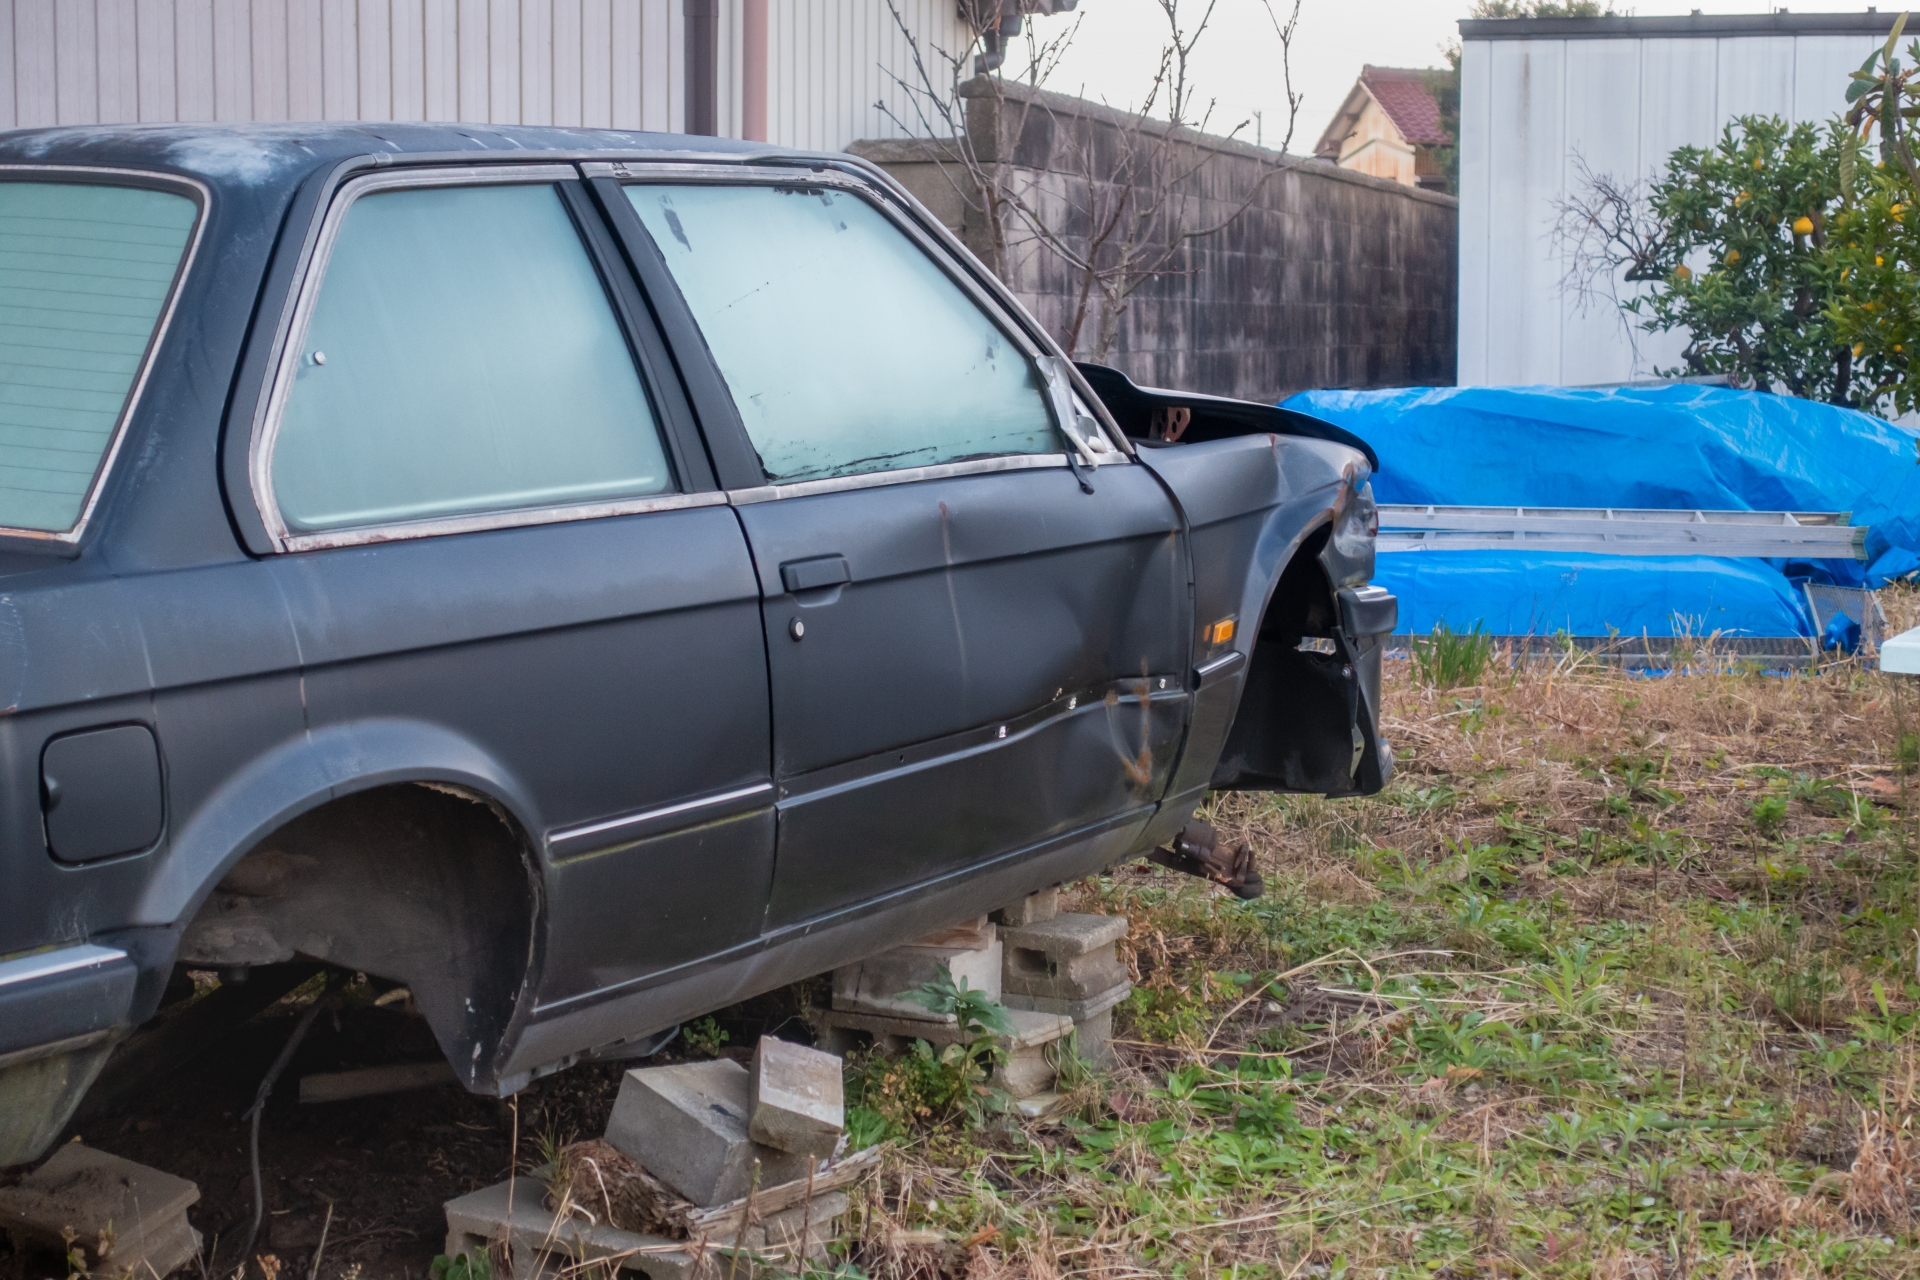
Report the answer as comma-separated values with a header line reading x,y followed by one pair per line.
x,y
1673,446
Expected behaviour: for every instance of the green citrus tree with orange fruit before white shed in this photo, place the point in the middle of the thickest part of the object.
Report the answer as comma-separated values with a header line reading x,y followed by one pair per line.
x,y
1787,256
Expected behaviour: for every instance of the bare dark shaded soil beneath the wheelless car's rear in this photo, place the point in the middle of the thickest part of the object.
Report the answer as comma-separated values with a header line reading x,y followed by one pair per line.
x,y
385,1166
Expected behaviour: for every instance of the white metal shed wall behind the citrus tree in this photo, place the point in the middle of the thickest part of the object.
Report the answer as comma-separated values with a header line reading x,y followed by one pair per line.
x,y
1529,108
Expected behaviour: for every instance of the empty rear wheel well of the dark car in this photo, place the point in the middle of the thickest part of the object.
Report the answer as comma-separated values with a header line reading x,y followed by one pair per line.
x,y
418,884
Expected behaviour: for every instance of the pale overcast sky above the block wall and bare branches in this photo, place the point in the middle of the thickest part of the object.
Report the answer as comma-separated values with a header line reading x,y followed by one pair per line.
x,y
1239,59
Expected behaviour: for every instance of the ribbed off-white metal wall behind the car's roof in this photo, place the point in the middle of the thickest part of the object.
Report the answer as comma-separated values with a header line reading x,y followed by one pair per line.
x,y
537,62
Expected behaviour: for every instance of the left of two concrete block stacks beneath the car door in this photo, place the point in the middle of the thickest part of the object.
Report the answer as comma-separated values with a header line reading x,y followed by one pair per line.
x,y
871,1007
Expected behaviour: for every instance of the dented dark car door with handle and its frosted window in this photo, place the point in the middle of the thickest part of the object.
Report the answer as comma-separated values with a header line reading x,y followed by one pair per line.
x,y
972,655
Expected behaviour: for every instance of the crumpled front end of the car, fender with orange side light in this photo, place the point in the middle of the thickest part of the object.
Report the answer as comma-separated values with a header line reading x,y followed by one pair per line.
x,y
1282,521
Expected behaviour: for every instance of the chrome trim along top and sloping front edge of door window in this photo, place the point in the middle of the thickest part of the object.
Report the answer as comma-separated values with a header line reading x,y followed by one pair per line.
x,y
1055,387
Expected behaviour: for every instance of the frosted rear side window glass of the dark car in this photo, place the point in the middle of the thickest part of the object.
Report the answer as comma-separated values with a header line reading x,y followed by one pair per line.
x,y
462,358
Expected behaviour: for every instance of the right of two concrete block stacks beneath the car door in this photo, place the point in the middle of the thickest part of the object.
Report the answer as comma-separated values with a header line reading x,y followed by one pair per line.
x,y
1068,966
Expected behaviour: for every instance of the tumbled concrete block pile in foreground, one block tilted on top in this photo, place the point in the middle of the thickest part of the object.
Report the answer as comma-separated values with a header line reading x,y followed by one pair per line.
x,y
715,1133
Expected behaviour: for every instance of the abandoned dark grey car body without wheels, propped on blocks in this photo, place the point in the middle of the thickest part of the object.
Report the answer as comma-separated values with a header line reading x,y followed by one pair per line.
x,y
592,579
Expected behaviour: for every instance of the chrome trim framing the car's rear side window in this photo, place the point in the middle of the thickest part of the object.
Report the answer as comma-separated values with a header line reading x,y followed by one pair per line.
x,y
287,362
